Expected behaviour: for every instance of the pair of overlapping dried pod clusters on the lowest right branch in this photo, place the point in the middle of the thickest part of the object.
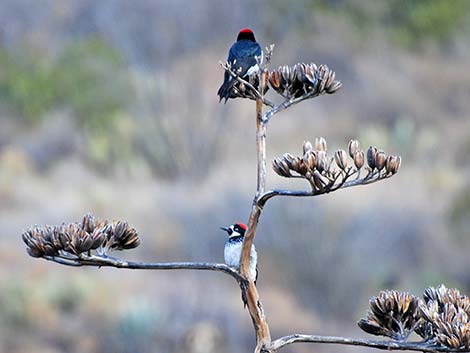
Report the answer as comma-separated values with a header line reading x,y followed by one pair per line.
x,y
443,316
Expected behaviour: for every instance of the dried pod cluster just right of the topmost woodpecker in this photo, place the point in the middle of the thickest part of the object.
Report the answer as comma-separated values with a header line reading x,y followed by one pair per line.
x,y
303,79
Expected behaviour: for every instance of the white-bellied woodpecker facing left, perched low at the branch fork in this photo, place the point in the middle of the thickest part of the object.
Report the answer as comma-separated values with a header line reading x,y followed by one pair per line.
x,y
233,249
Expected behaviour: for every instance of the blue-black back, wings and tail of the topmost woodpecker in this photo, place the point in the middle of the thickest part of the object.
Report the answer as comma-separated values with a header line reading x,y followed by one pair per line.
x,y
242,55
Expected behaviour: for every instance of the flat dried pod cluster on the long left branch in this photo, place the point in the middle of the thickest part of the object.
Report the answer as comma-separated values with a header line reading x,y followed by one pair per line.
x,y
78,238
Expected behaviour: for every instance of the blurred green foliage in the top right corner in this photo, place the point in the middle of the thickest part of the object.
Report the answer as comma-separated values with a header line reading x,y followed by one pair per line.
x,y
408,23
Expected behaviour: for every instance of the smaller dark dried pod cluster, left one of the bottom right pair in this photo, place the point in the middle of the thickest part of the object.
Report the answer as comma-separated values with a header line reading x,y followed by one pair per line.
x,y
392,314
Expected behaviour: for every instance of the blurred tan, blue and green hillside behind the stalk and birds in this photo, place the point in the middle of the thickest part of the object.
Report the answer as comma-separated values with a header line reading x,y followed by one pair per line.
x,y
110,107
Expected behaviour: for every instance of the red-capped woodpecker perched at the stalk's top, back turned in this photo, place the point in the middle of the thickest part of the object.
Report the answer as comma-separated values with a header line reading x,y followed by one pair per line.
x,y
242,55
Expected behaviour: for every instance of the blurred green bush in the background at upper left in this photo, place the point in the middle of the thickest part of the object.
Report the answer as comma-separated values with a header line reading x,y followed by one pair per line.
x,y
84,77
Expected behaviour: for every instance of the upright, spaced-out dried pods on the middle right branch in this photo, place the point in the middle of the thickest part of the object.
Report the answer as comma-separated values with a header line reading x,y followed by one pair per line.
x,y
327,173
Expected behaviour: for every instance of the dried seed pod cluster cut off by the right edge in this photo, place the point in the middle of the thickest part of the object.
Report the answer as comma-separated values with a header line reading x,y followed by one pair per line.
x,y
446,314
